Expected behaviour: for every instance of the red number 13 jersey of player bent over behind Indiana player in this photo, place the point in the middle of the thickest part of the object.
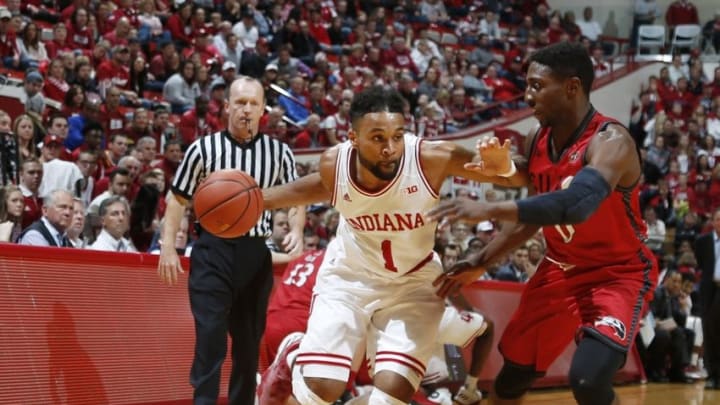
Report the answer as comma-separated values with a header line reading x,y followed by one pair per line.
x,y
294,293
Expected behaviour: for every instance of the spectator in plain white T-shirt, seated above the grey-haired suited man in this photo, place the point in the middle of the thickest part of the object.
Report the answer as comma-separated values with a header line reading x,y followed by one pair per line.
x,y
58,174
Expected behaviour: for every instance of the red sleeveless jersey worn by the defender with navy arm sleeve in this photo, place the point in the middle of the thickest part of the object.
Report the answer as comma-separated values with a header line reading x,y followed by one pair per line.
x,y
614,234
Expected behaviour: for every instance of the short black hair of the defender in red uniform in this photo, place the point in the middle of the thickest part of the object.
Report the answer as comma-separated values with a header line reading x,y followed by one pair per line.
x,y
567,60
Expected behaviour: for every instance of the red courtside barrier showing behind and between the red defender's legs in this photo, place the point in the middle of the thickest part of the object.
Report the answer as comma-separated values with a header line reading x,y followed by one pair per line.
x,y
497,300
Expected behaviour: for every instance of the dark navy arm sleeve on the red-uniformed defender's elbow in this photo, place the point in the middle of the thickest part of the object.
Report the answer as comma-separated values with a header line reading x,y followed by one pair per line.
x,y
572,205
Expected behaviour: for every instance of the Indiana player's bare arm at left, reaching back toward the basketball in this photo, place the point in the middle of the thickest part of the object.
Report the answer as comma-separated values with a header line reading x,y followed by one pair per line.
x,y
310,189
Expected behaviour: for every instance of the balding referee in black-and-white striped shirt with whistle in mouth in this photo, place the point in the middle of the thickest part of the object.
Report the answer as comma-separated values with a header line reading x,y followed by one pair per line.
x,y
230,279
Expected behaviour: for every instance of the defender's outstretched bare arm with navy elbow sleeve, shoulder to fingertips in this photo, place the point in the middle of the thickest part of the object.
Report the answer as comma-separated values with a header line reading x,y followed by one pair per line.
x,y
612,161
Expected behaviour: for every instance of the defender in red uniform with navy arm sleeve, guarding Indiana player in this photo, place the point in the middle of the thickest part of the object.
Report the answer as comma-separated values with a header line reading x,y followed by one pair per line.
x,y
598,276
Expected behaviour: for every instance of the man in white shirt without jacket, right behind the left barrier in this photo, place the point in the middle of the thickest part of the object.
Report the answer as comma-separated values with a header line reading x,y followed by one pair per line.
x,y
115,217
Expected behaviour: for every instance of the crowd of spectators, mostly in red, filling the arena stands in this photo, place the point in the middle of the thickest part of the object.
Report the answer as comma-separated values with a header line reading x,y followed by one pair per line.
x,y
116,90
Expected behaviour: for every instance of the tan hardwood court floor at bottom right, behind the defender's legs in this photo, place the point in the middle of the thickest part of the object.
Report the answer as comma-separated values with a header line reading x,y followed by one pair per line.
x,y
639,394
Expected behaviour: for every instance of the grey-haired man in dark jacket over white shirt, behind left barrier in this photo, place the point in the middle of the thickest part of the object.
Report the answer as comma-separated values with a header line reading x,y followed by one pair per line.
x,y
50,229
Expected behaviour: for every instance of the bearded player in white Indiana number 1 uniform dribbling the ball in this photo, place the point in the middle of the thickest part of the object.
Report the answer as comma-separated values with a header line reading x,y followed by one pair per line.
x,y
375,283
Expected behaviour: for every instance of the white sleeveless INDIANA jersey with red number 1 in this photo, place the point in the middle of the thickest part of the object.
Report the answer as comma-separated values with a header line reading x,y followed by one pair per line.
x,y
386,231
